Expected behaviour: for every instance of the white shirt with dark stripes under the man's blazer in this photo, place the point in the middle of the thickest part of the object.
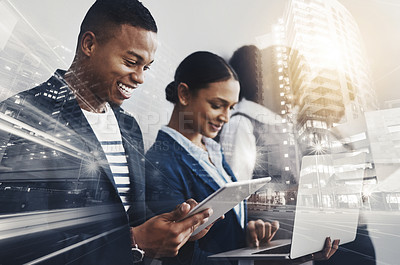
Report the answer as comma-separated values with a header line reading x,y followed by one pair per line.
x,y
106,129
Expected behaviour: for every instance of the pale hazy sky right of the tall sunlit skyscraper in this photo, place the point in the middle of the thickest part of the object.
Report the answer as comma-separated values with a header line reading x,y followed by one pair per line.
x,y
379,22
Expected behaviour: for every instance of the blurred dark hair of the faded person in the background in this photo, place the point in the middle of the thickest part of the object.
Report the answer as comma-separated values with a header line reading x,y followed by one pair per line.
x,y
248,65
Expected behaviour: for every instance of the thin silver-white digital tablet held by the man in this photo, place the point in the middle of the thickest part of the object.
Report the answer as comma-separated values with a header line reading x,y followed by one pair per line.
x,y
227,197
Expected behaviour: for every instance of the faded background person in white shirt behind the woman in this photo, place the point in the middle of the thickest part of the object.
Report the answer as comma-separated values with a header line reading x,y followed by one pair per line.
x,y
253,131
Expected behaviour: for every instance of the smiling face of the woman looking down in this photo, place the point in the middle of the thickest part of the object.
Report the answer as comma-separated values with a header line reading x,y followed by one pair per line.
x,y
209,108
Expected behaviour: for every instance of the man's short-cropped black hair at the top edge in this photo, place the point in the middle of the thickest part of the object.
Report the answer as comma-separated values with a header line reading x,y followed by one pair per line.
x,y
106,14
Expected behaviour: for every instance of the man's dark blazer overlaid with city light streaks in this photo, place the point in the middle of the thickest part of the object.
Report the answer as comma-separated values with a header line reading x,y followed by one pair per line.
x,y
56,183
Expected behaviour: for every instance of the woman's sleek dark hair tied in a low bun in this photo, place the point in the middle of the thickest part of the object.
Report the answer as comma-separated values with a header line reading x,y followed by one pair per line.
x,y
198,70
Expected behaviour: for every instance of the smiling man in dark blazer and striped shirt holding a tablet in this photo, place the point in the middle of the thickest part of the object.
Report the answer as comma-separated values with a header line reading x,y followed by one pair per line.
x,y
72,176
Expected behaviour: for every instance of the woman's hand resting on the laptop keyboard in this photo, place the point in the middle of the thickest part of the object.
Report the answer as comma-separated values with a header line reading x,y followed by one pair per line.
x,y
260,232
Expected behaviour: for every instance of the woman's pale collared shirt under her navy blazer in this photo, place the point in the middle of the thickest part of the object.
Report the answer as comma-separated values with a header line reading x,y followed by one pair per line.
x,y
210,160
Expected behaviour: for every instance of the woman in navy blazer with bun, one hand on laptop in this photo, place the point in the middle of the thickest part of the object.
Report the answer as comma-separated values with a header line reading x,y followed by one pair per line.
x,y
185,162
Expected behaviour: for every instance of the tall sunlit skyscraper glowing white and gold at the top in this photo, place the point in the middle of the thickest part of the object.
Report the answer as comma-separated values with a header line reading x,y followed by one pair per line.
x,y
322,71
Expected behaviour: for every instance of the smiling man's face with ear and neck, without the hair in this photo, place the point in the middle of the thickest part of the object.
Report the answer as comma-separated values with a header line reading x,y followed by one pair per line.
x,y
113,65
